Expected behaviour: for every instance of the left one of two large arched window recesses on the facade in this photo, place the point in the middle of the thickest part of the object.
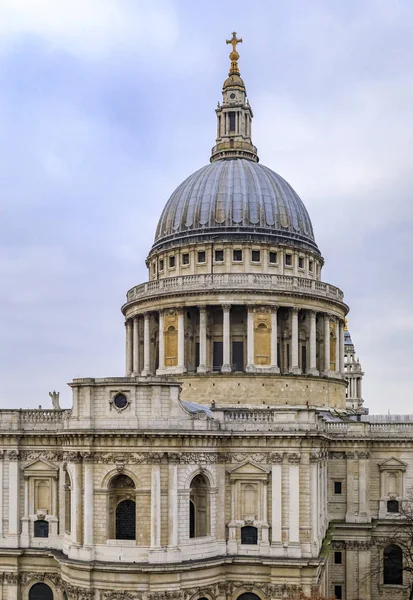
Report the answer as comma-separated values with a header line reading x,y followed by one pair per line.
x,y
122,508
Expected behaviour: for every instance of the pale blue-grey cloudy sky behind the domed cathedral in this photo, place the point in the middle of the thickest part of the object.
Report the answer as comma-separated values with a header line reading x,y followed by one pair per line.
x,y
107,105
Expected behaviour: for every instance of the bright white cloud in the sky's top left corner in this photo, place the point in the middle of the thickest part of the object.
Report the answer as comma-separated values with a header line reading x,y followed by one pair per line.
x,y
91,28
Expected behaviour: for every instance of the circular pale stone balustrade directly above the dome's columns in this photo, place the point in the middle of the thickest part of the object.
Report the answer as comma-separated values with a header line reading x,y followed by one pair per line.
x,y
235,282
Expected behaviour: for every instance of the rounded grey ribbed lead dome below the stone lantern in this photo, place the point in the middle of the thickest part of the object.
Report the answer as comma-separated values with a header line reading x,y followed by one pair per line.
x,y
235,199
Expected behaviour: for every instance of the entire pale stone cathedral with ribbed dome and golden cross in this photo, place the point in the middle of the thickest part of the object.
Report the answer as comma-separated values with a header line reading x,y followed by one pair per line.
x,y
235,458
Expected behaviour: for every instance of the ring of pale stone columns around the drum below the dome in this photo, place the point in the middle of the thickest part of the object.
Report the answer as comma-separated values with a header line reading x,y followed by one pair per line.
x,y
235,338
